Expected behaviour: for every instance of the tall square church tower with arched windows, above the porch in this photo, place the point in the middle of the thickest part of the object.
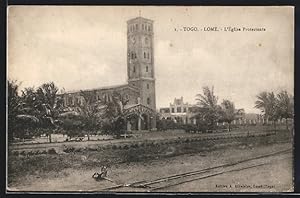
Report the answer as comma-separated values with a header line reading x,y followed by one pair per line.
x,y
140,59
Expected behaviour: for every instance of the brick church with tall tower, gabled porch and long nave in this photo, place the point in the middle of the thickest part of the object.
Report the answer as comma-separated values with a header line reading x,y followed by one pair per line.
x,y
140,111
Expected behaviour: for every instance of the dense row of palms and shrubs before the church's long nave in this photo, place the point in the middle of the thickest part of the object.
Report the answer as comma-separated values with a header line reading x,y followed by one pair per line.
x,y
41,111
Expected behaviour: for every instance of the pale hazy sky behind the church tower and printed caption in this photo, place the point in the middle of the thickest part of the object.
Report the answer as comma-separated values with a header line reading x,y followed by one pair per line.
x,y
84,47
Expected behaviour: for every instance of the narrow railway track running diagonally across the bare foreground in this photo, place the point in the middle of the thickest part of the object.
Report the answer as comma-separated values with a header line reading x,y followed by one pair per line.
x,y
182,178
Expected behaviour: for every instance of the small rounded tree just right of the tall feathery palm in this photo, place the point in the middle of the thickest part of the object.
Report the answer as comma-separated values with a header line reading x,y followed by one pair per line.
x,y
228,112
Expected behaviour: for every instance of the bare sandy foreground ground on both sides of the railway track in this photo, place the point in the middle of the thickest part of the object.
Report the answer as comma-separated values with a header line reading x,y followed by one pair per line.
x,y
277,174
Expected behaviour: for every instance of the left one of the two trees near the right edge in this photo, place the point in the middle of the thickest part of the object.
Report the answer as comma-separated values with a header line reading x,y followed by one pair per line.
x,y
267,103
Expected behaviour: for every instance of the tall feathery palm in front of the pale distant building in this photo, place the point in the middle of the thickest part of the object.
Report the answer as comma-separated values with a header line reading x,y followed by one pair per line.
x,y
208,103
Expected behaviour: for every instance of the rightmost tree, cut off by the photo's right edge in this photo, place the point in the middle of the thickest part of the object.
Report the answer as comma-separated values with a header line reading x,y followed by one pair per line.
x,y
285,105
